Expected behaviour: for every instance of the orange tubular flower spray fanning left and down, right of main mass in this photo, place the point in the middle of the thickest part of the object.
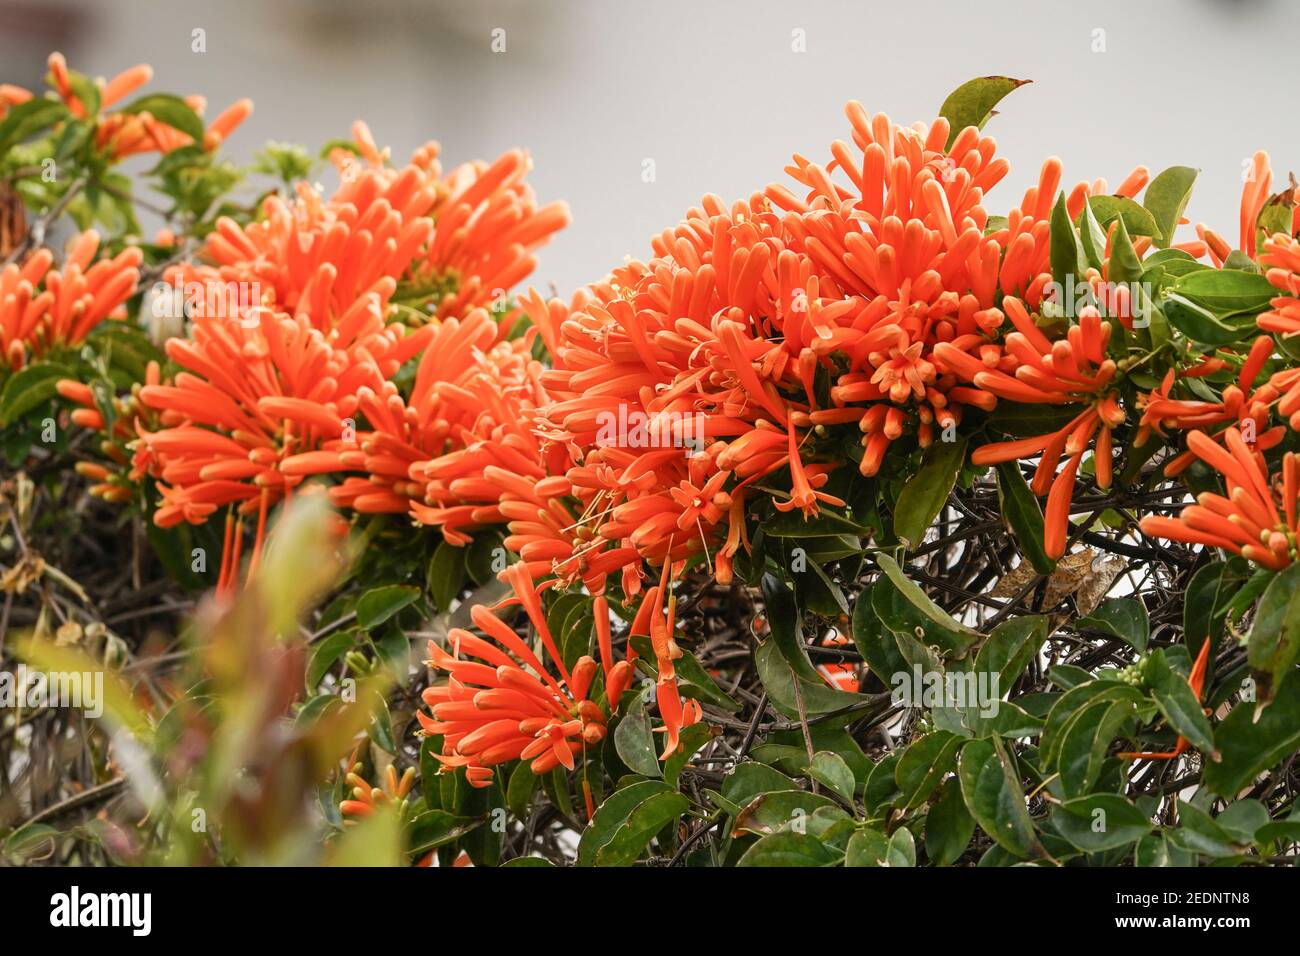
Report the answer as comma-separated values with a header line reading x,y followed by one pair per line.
x,y
1071,371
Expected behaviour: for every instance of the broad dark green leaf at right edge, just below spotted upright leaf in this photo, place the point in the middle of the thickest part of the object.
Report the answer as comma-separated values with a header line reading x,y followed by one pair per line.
x,y
1247,747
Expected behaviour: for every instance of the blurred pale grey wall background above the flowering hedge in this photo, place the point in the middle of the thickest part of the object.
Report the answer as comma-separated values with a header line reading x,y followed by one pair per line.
x,y
718,94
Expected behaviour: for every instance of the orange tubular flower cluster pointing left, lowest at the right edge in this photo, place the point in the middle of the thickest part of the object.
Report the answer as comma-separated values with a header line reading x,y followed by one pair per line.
x,y
1256,520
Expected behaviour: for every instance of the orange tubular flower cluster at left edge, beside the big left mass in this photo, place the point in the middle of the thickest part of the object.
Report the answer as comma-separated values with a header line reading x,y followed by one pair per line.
x,y
44,309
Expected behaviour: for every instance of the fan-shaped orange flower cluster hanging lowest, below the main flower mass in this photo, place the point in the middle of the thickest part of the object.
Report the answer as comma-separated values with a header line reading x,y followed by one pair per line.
x,y
501,703
